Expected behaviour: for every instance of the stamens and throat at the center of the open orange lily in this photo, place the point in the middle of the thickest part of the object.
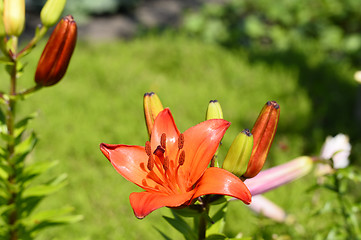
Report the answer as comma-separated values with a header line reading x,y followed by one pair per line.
x,y
165,172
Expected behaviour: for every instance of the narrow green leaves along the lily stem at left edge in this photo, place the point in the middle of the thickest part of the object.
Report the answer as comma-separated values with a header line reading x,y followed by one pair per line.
x,y
20,195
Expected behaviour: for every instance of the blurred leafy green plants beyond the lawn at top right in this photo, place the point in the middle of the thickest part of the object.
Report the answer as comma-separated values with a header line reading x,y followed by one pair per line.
x,y
331,26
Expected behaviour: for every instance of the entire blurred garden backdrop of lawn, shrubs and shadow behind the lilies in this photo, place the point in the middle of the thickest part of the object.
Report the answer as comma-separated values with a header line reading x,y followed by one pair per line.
x,y
303,54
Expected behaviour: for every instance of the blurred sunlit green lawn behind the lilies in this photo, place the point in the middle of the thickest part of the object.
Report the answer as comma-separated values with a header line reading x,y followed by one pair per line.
x,y
100,100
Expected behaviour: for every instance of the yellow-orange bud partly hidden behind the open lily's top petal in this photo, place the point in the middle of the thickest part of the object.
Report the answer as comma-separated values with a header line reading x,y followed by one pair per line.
x,y
152,106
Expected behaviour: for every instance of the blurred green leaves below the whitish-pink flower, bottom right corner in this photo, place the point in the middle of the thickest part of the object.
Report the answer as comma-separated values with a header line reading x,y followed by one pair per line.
x,y
344,209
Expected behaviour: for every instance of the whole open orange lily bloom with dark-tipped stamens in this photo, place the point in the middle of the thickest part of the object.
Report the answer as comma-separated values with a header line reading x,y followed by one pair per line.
x,y
172,168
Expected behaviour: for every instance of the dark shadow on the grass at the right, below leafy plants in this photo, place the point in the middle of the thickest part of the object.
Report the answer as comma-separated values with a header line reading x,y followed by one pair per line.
x,y
333,95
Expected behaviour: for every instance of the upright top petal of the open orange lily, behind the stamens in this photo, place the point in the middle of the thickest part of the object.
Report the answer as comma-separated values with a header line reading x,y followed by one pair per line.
x,y
164,123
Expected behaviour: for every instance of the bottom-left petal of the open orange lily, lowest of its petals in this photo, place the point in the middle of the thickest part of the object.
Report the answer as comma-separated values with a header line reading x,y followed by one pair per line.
x,y
144,203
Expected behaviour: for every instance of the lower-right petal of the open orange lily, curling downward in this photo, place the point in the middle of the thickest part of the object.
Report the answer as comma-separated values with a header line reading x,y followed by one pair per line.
x,y
219,181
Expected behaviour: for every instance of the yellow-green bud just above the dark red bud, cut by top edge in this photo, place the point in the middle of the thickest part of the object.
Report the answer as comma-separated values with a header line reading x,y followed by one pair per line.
x,y
51,12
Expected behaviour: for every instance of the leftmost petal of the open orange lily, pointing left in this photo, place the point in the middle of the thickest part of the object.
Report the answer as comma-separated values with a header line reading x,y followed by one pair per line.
x,y
129,161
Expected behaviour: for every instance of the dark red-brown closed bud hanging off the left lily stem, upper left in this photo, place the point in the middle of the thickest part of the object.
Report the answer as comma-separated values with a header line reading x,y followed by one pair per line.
x,y
57,53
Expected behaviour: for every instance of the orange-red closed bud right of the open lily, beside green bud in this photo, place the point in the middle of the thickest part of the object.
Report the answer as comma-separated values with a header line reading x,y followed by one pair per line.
x,y
263,132
